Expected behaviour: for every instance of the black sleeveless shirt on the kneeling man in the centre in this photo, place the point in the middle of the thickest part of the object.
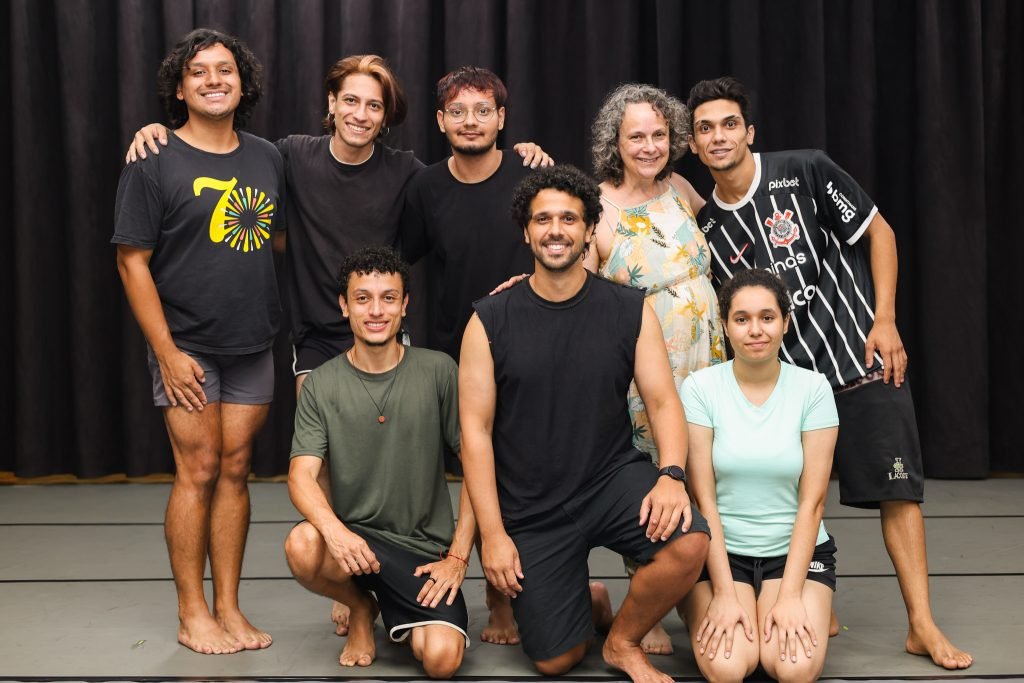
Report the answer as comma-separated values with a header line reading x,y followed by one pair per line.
x,y
563,371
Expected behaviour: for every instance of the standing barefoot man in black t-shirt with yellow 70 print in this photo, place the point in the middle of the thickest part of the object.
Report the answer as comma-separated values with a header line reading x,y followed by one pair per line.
x,y
194,230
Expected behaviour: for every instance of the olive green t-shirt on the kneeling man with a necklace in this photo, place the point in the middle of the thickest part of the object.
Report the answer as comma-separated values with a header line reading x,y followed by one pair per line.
x,y
388,480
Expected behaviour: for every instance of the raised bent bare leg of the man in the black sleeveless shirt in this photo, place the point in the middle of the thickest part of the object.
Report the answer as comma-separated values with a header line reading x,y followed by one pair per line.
x,y
656,588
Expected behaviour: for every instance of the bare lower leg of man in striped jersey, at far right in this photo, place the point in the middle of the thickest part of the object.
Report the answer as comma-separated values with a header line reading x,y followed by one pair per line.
x,y
904,531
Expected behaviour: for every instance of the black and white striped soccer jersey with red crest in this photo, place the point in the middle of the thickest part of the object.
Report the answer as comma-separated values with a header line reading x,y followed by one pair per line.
x,y
802,220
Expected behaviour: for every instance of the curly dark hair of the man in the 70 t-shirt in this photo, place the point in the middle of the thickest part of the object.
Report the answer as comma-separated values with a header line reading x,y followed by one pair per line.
x,y
173,69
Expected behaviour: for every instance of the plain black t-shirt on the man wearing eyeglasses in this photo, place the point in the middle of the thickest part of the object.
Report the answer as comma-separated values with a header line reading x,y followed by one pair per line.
x,y
473,242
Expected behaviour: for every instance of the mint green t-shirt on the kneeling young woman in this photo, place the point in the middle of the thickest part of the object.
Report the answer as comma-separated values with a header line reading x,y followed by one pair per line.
x,y
757,452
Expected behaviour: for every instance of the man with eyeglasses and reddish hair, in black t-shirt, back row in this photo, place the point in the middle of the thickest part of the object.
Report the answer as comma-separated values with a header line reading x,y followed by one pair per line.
x,y
457,216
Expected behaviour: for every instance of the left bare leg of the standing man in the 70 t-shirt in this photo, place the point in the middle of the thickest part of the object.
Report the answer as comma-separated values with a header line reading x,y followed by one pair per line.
x,y
196,442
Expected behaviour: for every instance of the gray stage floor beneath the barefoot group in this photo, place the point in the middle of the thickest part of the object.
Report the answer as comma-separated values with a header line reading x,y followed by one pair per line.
x,y
86,593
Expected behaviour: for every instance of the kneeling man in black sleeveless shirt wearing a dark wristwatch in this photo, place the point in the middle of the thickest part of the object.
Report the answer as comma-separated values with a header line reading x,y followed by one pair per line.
x,y
547,442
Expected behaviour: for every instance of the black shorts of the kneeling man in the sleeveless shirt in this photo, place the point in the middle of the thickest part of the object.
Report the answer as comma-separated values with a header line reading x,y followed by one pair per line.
x,y
554,610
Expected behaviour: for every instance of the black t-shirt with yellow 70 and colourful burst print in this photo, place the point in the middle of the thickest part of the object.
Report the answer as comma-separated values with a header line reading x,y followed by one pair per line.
x,y
208,220
